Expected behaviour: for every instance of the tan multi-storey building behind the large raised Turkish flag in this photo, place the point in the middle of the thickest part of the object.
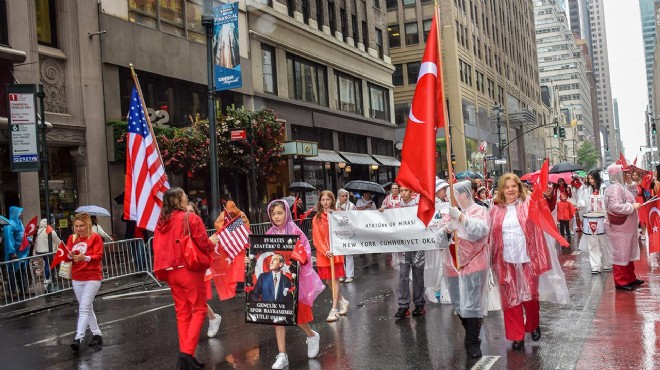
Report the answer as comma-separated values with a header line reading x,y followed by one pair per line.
x,y
490,76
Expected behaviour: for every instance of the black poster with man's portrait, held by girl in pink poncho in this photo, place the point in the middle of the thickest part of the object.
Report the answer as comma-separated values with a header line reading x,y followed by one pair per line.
x,y
271,281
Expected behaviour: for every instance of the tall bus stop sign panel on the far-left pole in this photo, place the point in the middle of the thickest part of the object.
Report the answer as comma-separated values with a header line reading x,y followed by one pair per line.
x,y
22,104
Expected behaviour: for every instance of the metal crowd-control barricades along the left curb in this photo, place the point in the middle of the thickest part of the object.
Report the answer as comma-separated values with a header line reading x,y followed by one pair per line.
x,y
31,277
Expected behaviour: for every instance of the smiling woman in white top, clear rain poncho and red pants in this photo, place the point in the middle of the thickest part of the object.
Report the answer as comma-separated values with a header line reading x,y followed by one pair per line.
x,y
519,256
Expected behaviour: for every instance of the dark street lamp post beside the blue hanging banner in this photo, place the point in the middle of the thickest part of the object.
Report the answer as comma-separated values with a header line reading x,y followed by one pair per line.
x,y
207,22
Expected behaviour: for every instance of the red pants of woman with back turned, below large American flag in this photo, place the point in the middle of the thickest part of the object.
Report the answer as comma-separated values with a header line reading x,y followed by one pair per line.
x,y
189,293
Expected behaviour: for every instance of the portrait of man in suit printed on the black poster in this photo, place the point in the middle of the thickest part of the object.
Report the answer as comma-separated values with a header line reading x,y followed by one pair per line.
x,y
273,286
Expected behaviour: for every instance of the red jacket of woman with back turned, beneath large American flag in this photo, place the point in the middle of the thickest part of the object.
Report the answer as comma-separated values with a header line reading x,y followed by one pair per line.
x,y
168,252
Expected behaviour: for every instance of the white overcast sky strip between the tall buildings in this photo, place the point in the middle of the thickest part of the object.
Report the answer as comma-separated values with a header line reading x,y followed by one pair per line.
x,y
627,71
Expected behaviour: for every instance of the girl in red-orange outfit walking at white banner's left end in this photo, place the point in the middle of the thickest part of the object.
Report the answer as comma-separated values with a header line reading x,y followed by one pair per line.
x,y
324,256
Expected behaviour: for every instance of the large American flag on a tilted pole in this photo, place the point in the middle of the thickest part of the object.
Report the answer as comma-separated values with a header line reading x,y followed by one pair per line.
x,y
146,181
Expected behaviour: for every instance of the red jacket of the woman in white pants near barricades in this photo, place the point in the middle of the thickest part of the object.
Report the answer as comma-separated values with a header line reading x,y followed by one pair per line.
x,y
92,247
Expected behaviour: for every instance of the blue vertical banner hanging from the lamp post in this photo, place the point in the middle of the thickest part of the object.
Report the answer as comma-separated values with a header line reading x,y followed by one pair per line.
x,y
226,56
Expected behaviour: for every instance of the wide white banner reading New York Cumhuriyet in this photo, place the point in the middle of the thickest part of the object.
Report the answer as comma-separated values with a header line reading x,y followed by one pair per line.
x,y
393,230
